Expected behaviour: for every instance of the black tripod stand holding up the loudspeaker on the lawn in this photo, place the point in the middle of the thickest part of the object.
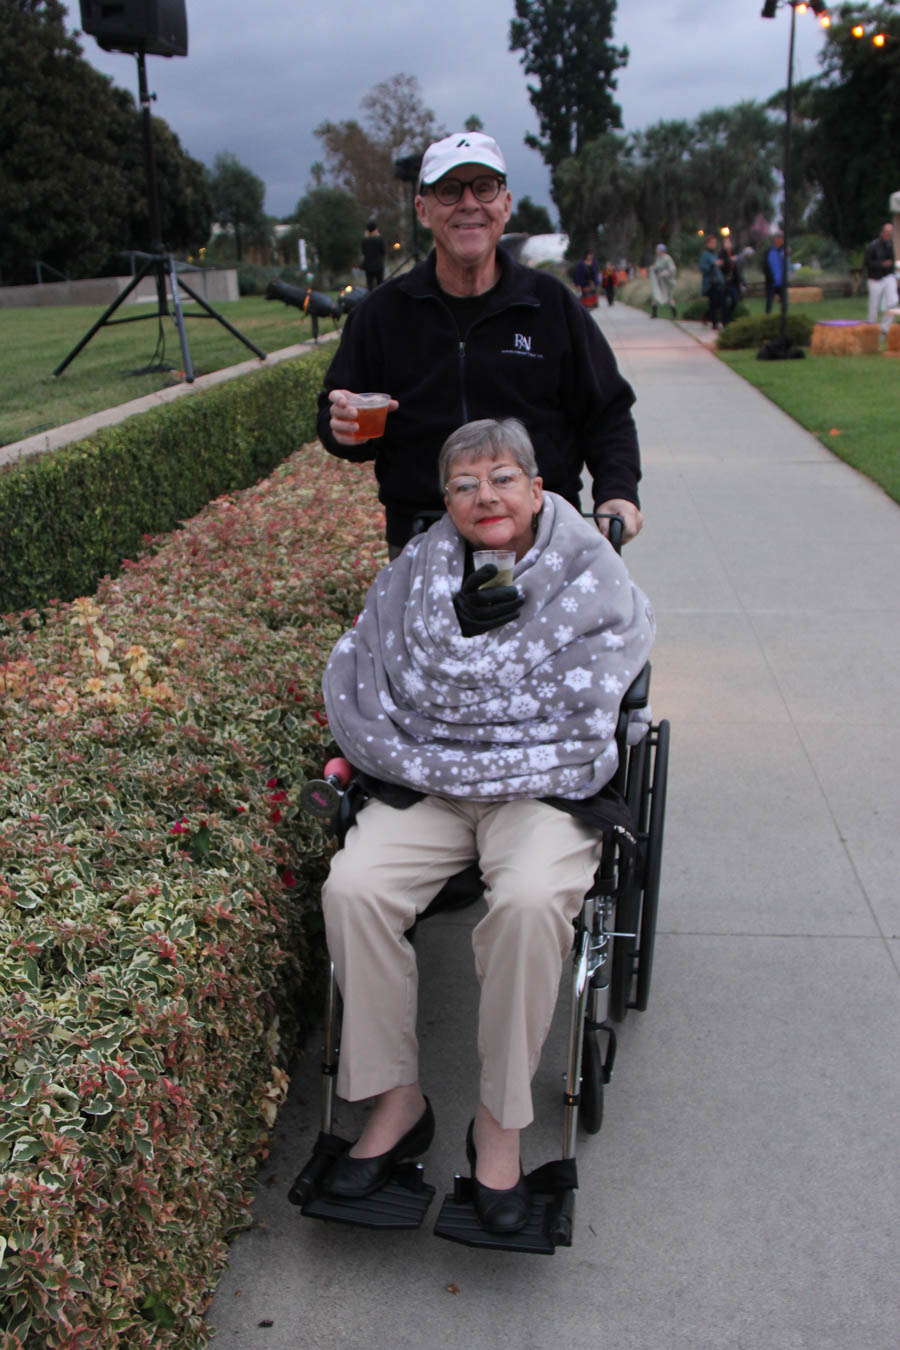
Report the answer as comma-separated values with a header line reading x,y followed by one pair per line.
x,y
159,264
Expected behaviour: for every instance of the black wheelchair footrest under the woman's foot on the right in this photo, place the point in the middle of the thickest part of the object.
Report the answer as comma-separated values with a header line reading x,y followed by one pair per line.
x,y
550,1224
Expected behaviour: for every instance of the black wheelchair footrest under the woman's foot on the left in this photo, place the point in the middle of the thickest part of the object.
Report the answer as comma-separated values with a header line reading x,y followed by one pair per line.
x,y
401,1204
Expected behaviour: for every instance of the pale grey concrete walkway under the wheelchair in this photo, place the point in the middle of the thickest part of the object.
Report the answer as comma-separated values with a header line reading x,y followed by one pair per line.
x,y
743,1194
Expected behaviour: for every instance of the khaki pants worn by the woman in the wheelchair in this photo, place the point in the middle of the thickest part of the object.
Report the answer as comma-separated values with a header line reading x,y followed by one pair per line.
x,y
538,865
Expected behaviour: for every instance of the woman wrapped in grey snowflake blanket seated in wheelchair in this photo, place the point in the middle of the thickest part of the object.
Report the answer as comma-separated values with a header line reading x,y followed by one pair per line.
x,y
482,724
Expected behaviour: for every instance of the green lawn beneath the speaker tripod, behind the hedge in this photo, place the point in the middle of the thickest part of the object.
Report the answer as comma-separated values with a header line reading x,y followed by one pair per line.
x,y
34,342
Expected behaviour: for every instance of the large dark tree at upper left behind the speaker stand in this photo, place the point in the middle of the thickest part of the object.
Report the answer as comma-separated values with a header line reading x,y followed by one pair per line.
x,y
72,175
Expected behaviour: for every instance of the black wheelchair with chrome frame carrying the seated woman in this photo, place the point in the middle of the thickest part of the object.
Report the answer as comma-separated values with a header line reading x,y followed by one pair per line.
x,y
612,965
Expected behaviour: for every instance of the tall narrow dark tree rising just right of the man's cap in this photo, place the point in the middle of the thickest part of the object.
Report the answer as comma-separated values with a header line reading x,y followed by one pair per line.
x,y
566,45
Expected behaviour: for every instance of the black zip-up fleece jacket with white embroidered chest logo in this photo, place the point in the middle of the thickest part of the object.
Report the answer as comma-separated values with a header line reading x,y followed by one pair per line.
x,y
534,353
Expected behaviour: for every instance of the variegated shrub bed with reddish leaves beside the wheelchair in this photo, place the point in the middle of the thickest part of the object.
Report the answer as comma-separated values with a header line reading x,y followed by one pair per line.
x,y
156,885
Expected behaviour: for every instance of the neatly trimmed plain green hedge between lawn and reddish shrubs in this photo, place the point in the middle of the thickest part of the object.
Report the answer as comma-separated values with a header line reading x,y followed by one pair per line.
x,y
71,516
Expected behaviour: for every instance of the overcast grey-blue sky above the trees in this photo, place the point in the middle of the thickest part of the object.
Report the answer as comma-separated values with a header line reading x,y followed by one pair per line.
x,y
261,75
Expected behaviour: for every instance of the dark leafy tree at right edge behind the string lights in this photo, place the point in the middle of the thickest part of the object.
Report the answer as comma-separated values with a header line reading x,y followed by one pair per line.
x,y
857,125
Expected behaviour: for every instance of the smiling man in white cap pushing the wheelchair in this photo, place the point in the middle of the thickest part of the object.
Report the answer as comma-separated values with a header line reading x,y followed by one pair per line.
x,y
472,334
